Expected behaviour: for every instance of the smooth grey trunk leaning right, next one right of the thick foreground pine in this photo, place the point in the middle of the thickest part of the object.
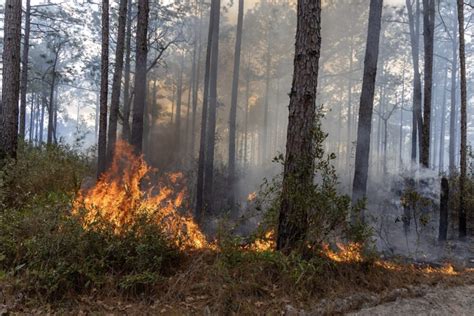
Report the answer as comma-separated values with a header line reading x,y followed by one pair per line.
x,y
359,188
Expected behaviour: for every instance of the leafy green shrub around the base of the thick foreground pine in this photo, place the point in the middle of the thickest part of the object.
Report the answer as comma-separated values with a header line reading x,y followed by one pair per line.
x,y
329,211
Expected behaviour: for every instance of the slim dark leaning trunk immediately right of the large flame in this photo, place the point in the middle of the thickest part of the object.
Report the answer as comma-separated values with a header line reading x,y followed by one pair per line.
x,y
205,104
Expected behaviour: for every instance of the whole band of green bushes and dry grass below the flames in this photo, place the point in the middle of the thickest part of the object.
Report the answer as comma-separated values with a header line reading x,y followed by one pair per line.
x,y
47,254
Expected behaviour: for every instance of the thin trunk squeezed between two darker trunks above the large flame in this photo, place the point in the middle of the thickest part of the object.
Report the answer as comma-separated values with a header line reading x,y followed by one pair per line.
x,y
126,85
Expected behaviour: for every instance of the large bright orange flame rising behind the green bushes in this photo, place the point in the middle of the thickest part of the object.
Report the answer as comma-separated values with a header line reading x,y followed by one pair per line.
x,y
118,198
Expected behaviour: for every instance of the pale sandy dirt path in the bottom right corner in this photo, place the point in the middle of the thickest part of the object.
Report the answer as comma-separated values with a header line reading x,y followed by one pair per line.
x,y
438,301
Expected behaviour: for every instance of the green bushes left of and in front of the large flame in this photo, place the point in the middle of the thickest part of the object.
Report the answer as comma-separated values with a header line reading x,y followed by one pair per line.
x,y
45,246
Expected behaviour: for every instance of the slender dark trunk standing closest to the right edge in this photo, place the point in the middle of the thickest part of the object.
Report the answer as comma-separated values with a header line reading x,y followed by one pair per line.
x,y
463,162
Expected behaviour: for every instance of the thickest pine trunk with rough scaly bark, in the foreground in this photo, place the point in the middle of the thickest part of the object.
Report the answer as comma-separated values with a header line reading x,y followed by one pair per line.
x,y
299,163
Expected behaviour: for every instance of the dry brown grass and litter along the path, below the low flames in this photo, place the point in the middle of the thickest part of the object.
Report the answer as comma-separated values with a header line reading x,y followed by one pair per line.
x,y
243,282
